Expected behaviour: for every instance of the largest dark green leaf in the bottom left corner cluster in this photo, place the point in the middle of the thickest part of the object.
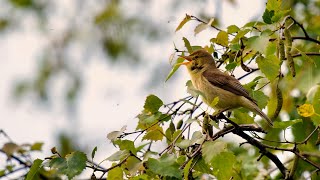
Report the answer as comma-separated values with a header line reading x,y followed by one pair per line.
x,y
73,164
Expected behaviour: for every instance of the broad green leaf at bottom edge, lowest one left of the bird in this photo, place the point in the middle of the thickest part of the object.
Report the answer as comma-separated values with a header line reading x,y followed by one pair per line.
x,y
166,165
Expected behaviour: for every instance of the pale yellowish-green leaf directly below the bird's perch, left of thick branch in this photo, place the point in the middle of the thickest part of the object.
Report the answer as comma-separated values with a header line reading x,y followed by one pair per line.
x,y
211,149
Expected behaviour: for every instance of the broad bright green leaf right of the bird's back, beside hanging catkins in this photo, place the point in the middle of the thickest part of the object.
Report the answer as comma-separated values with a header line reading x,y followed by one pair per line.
x,y
269,66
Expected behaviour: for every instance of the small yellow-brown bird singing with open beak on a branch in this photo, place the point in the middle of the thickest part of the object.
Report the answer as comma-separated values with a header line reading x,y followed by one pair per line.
x,y
208,79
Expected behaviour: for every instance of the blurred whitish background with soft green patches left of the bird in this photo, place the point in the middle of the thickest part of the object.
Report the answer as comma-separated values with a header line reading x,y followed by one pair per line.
x,y
72,71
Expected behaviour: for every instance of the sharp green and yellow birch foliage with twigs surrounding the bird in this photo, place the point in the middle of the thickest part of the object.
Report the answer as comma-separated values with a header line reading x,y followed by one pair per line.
x,y
183,139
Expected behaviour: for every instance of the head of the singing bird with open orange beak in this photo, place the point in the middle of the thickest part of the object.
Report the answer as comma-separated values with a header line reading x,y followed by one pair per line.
x,y
198,60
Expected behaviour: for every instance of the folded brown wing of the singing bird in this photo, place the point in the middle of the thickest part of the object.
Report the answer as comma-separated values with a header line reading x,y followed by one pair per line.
x,y
226,82
